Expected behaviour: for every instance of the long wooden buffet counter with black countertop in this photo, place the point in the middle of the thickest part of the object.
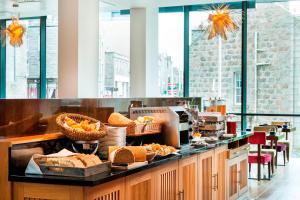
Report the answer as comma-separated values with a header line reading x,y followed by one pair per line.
x,y
194,173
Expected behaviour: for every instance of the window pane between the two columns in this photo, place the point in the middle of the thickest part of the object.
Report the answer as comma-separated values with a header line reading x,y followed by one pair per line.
x,y
114,65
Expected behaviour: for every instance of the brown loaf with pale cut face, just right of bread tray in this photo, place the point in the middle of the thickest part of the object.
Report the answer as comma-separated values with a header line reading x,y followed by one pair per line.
x,y
121,156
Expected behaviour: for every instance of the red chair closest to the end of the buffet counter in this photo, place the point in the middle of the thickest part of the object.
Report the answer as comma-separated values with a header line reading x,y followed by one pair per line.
x,y
258,158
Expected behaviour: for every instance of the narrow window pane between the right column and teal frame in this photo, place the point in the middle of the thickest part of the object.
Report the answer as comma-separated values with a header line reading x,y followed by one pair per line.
x,y
170,61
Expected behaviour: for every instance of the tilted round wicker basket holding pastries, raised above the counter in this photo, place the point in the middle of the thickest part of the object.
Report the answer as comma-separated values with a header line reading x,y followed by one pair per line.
x,y
80,135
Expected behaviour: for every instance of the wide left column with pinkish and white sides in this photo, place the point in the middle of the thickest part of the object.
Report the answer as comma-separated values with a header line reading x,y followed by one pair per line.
x,y
78,47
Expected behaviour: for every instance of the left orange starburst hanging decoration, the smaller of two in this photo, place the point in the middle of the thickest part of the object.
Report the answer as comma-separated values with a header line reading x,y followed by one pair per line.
x,y
15,31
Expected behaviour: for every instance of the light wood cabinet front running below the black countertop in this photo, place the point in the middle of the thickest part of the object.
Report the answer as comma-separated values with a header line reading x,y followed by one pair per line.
x,y
192,178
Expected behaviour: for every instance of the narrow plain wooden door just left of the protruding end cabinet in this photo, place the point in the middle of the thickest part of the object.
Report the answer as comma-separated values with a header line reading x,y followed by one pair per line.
x,y
219,175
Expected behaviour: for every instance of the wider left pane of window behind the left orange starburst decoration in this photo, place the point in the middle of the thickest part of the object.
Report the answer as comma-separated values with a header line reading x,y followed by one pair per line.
x,y
23,63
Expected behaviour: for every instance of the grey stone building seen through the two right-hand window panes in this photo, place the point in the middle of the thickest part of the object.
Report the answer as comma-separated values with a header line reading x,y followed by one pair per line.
x,y
273,67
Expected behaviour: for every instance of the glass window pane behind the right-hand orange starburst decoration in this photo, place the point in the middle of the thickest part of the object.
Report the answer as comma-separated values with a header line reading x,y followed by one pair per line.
x,y
215,65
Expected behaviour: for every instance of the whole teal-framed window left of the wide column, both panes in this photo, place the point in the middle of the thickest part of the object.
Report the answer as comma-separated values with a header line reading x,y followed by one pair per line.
x,y
22,65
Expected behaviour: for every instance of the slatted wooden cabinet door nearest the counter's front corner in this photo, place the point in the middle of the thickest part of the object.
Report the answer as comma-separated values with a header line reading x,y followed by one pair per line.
x,y
114,190
